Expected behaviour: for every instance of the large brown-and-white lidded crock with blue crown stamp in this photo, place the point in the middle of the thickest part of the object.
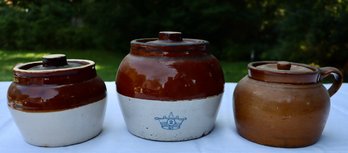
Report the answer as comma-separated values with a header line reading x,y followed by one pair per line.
x,y
169,88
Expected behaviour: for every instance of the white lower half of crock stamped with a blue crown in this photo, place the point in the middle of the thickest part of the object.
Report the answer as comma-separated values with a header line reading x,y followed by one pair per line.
x,y
170,120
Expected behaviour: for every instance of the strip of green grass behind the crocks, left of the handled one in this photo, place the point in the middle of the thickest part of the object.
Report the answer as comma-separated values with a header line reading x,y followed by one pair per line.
x,y
107,63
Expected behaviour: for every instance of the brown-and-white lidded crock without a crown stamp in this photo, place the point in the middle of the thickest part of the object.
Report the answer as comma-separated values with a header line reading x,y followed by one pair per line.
x,y
57,102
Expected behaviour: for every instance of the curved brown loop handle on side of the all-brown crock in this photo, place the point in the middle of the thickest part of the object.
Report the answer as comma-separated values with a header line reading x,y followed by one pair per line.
x,y
326,71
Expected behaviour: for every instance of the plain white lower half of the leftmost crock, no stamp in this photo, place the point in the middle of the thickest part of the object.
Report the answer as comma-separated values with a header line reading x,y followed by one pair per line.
x,y
61,128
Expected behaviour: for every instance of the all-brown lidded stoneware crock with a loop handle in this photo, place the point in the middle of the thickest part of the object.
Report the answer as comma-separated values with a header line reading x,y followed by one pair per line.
x,y
283,104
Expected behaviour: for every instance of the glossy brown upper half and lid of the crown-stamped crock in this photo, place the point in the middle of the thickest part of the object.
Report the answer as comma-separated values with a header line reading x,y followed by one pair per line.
x,y
169,68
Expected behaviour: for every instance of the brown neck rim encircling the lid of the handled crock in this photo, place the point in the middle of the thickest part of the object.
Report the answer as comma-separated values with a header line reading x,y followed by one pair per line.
x,y
289,77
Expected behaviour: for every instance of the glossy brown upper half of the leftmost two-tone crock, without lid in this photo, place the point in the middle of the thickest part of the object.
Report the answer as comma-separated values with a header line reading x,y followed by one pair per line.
x,y
54,89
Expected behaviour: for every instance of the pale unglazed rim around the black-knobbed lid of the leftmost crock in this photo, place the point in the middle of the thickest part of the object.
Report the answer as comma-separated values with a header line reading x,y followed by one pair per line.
x,y
17,68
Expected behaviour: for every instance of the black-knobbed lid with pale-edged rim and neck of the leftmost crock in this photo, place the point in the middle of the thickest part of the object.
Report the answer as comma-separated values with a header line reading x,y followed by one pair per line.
x,y
54,69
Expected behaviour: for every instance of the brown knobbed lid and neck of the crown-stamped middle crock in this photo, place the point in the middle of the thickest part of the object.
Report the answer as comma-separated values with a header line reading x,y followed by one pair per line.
x,y
168,43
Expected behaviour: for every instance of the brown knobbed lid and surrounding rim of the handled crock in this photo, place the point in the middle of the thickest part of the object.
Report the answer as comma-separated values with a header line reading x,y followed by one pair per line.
x,y
283,72
